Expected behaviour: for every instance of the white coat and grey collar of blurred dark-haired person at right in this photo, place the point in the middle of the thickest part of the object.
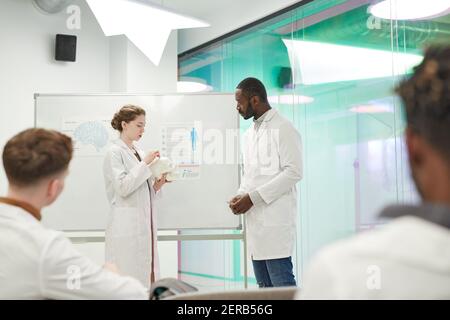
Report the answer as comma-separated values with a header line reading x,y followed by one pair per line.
x,y
407,258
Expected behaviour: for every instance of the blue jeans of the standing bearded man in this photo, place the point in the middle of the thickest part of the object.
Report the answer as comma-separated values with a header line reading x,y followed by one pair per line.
x,y
274,272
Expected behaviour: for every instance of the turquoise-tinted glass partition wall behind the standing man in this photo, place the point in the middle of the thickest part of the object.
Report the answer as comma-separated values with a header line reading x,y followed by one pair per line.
x,y
330,67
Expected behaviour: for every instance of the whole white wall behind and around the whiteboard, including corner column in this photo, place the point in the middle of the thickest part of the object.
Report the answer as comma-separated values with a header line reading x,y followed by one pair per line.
x,y
27,66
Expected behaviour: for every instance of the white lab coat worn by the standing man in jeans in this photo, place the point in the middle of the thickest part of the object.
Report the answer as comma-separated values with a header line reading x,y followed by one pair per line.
x,y
272,167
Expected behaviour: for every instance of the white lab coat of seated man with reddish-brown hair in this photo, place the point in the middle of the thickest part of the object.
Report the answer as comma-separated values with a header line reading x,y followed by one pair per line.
x,y
39,263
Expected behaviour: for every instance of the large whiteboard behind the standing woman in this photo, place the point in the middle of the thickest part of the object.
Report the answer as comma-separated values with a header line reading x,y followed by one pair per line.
x,y
186,204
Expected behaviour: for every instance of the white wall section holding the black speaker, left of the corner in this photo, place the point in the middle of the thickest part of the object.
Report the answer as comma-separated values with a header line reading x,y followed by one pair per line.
x,y
27,65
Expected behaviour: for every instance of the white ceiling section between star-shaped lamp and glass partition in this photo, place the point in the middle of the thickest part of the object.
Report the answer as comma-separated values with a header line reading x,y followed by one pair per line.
x,y
223,16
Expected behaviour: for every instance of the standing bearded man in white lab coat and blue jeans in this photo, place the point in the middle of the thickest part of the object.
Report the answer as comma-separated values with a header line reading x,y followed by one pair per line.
x,y
272,157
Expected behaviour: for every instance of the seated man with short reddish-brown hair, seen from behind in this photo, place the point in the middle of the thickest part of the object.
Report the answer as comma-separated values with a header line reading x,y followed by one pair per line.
x,y
36,262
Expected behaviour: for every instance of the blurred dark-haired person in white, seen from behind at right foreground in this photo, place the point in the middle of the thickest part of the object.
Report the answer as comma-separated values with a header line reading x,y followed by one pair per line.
x,y
409,257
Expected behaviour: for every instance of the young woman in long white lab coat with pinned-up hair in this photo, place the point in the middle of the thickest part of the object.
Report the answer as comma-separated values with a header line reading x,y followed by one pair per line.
x,y
131,238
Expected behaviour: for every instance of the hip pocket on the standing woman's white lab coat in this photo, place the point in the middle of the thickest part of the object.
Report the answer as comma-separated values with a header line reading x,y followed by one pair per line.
x,y
125,221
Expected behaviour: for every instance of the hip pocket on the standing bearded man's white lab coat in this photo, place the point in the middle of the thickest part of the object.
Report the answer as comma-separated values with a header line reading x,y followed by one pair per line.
x,y
278,213
